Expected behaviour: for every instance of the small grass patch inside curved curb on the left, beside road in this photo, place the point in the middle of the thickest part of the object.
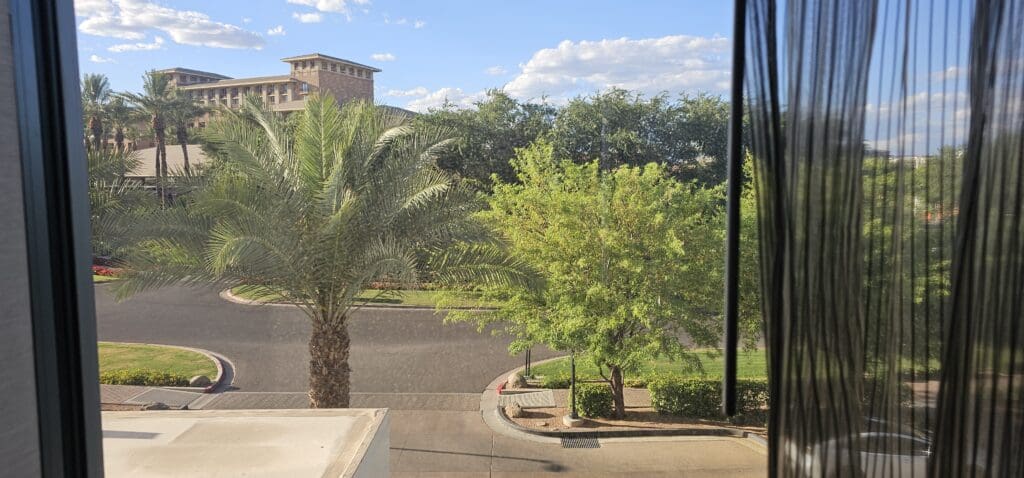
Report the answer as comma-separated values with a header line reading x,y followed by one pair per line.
x,y
115,357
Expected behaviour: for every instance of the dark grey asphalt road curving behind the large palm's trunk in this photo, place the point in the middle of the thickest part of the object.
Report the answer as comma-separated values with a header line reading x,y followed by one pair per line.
x,y
394,351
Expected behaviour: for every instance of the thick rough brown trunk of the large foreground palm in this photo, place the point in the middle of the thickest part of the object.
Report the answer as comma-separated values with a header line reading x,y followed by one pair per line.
x,y
329,372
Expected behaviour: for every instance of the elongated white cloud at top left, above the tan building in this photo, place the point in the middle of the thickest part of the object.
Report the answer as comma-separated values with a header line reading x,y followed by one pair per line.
x,y
133,20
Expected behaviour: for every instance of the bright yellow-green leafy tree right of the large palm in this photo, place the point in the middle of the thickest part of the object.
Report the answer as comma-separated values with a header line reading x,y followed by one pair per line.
x,y
629,262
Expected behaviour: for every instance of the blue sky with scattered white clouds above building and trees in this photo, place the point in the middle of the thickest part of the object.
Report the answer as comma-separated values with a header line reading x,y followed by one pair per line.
x,y
430,51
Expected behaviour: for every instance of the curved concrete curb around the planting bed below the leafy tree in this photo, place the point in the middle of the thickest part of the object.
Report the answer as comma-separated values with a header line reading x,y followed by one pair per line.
x,y
495,417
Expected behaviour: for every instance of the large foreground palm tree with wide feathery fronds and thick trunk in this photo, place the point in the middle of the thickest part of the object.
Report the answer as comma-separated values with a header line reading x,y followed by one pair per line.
x,y
353,197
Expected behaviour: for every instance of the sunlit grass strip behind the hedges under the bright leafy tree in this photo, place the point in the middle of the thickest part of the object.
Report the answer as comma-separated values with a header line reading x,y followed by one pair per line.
x,y
751,365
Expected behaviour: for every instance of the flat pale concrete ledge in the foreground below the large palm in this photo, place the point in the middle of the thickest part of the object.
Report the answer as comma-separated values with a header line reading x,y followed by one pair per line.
x,y
348,443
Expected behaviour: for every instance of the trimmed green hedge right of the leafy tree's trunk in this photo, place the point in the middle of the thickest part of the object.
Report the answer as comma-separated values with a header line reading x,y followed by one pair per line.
x,y
701,399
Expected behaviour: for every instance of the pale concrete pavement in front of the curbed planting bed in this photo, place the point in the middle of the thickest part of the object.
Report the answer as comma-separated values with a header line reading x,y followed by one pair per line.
x,y
460,445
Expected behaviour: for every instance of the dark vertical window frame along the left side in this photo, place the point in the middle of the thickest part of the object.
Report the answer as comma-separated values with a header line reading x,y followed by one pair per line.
x,y
57,221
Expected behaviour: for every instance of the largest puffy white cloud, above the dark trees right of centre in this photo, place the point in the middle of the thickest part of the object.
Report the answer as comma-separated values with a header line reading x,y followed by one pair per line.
x,y
673,64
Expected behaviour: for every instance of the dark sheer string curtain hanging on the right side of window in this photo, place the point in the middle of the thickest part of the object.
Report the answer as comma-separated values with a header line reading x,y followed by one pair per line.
x,y
887,141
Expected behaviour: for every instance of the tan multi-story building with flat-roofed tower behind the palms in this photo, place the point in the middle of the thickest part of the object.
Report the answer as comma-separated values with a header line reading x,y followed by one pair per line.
x,y
310,73
